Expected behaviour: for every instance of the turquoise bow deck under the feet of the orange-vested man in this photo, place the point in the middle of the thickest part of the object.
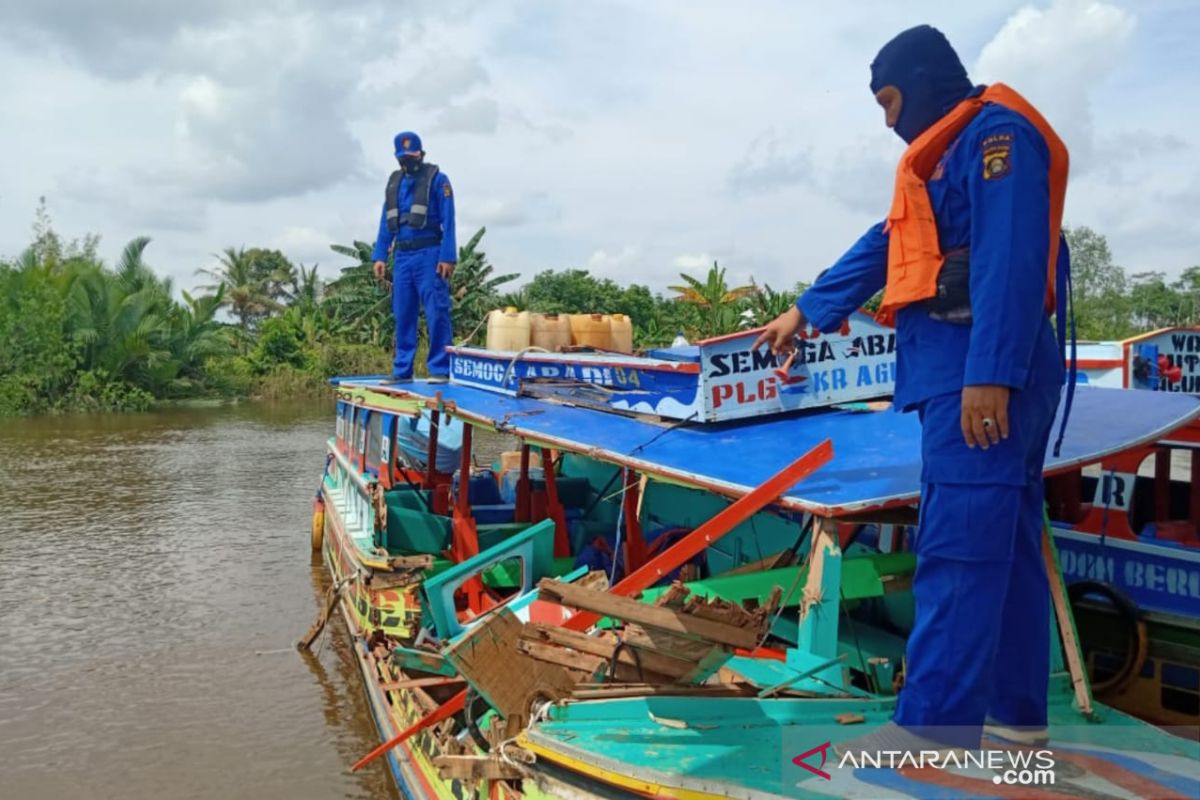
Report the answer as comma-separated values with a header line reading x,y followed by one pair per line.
x,y
742,748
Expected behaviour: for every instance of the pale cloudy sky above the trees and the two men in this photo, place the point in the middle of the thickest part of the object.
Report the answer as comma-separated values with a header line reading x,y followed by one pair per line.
x,y
637,140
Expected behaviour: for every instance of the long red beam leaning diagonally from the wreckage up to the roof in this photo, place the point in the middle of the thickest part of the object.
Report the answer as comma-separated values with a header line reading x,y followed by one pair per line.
x,y
719,526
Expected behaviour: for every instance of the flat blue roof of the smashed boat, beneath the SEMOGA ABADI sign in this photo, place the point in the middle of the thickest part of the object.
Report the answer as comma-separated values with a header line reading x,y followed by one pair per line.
x,y
877,460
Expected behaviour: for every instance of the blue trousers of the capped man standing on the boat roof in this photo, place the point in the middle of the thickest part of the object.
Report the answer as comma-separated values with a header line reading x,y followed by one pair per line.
x,y
417,285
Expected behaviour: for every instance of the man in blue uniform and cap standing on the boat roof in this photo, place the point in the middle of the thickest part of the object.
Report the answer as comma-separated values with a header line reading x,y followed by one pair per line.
x,y
417,226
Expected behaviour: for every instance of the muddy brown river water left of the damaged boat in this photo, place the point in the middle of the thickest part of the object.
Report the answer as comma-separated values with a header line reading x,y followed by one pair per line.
x,y
155,572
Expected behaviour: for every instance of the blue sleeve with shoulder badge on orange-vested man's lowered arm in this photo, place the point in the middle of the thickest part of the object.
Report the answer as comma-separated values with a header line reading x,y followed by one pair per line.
x,y
1010,189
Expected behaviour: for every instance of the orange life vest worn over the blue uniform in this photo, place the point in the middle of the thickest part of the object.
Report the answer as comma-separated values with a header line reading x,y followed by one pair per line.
x,y
915,257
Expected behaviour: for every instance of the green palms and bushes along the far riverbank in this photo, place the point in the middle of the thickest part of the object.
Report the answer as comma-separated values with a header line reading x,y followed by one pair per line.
x,y
81,335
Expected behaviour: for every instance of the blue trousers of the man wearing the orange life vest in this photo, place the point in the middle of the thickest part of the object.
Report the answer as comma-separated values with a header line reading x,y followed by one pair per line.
x,y
981,642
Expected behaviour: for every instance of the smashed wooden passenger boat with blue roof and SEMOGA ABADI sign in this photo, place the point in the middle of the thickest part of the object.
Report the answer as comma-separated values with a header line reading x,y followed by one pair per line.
x,y
687,579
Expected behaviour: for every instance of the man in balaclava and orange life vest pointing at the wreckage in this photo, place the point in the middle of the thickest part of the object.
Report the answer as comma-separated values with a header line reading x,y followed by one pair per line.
x,y
968,260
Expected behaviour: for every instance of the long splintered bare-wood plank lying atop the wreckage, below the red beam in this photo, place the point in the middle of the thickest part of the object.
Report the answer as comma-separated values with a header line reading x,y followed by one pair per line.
x,y
632,611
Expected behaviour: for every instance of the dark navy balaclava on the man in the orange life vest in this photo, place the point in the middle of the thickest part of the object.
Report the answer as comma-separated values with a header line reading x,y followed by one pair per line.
x,y
929,75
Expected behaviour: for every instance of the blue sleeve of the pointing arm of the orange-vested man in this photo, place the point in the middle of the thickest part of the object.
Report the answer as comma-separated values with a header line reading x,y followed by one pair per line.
x,y
849,284
